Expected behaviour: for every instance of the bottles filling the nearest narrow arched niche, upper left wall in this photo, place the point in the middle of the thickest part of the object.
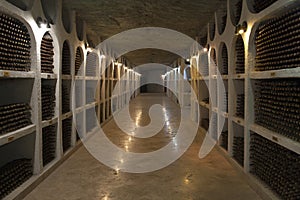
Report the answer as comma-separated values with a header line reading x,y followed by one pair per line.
x,y
47,53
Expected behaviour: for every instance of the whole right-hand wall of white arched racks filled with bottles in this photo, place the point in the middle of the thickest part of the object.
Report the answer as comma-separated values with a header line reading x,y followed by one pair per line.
x,y
259,68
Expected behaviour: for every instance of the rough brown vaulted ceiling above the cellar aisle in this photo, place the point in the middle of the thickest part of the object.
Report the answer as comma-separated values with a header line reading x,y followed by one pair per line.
x,y
105,18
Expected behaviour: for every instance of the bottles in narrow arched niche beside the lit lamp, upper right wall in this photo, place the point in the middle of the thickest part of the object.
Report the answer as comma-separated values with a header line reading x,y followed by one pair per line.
x,y
240,56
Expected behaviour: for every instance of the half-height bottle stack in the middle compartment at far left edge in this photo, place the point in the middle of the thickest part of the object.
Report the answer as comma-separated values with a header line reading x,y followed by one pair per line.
x,y
14,117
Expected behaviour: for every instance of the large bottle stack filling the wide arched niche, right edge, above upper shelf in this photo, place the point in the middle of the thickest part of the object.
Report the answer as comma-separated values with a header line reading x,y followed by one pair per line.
x,y
277,42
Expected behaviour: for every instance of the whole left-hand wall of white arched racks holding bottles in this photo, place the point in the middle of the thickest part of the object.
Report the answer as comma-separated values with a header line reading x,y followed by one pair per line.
x,y
37,88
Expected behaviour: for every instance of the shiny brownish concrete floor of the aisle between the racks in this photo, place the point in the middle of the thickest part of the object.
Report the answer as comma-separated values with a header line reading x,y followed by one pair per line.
x,y
82,177
